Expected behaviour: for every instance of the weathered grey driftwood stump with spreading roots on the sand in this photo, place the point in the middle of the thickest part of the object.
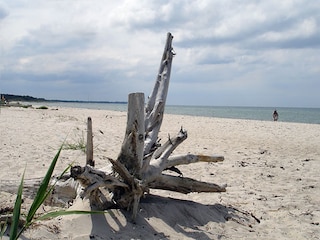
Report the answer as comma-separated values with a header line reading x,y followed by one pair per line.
x,y
142,160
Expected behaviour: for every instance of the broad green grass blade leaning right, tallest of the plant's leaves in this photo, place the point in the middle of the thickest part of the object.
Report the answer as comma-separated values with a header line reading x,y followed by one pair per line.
x,y
42,191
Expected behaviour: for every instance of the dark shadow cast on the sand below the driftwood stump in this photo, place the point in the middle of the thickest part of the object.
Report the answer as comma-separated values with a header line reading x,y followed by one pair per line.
x,y
169,218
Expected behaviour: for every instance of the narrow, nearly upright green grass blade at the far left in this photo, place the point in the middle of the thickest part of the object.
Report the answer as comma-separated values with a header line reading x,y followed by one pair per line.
x,y
17,211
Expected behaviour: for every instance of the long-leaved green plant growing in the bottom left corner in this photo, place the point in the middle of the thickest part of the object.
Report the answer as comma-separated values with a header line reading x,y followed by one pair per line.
x,y
42,193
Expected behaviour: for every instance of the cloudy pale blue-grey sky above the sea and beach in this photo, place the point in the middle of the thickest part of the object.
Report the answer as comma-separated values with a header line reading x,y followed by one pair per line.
x,y
228,53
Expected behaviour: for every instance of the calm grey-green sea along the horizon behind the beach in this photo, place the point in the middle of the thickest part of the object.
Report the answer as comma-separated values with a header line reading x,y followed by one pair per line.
x,y
286,114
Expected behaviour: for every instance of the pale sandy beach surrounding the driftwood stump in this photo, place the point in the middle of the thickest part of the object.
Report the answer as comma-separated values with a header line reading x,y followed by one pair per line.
x,y
271,168
